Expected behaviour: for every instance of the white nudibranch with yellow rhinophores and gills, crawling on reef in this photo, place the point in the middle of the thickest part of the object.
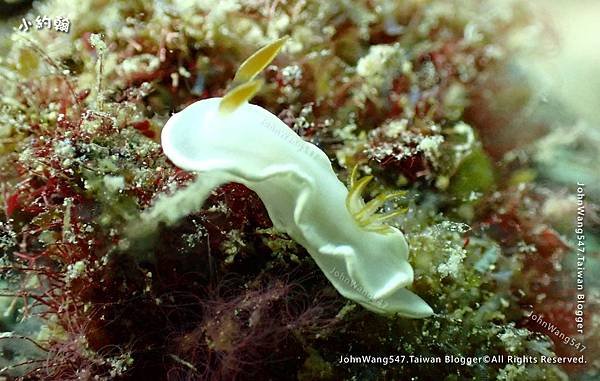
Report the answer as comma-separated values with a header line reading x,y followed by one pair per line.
x,y
229,140
